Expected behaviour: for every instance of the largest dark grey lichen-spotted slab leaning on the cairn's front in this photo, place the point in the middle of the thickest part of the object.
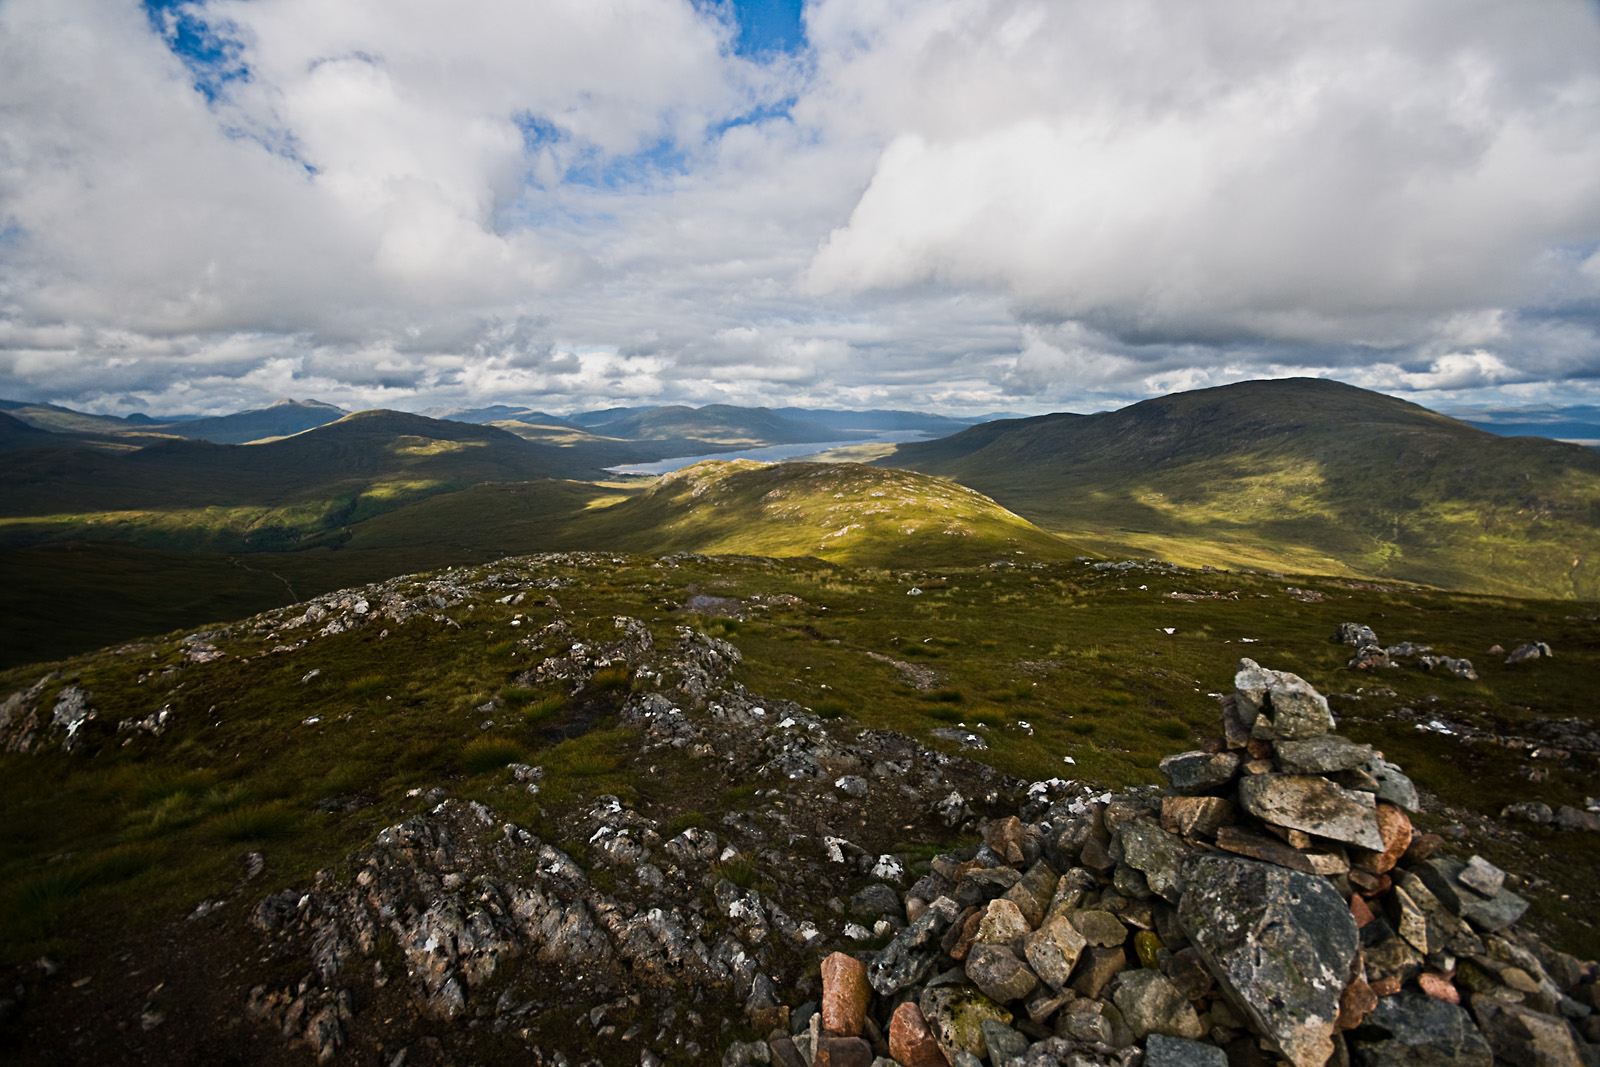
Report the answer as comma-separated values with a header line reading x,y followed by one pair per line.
x,y
1279,941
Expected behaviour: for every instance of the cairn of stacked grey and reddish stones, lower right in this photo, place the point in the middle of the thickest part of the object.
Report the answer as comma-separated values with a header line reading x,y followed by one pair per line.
x,y
1273,906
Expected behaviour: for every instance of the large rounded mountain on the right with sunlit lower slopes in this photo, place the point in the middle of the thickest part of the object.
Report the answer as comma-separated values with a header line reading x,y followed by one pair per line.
x,y
1300,474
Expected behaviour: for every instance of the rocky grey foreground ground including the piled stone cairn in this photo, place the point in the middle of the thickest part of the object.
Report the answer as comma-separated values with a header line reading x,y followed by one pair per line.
x,y
1273,905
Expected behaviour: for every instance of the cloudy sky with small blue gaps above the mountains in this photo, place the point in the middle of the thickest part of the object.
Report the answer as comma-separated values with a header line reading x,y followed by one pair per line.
x,y
948,206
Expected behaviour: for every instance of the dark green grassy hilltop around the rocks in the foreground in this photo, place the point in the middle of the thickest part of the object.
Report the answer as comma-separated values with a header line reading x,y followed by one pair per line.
x,y
1047,661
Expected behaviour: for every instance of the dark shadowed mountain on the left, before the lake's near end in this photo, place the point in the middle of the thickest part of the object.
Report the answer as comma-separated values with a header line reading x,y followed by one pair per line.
x,y
188,495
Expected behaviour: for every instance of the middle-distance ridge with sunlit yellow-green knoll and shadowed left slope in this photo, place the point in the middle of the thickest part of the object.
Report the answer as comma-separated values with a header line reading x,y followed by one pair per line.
x,y
844,513
